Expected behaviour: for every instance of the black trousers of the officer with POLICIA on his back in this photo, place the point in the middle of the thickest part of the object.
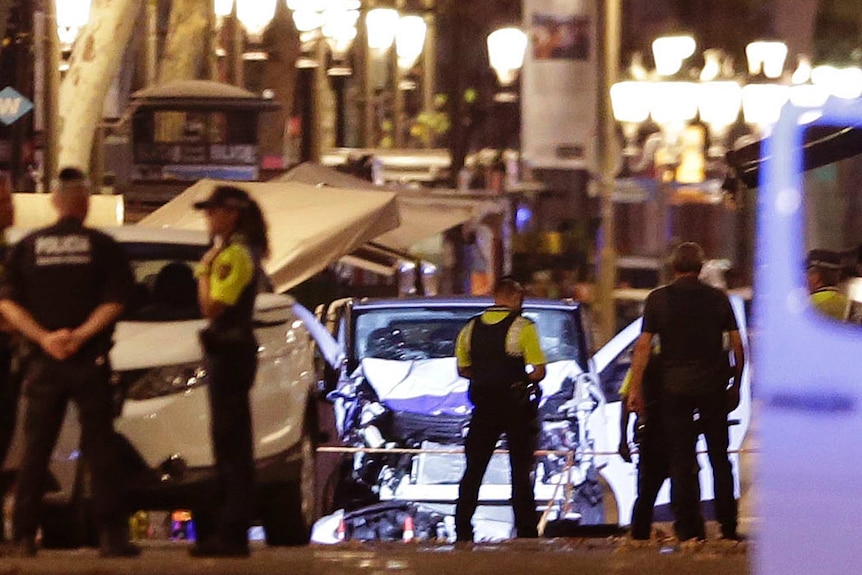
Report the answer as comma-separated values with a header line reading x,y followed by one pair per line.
x,y
49,386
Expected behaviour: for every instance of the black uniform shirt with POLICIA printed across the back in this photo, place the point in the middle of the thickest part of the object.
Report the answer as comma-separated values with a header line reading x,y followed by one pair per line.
x,y
61,273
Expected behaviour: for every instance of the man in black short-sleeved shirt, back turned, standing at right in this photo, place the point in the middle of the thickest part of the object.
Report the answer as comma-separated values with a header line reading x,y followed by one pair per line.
x,y
691,319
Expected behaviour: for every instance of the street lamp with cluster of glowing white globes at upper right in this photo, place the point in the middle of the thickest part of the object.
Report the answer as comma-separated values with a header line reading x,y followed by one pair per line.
x,y
673,101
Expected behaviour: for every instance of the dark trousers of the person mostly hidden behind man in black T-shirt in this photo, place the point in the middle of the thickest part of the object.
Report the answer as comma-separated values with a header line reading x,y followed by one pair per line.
x,y
653,469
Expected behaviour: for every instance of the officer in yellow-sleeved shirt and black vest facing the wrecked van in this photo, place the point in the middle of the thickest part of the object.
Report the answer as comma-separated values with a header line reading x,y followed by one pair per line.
x,y
493,351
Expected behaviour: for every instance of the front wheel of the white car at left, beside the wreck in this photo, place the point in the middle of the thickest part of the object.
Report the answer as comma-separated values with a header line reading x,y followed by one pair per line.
x,y
289,512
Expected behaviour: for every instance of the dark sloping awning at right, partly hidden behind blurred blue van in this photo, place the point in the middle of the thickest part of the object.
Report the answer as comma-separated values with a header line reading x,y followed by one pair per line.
x,y
821,145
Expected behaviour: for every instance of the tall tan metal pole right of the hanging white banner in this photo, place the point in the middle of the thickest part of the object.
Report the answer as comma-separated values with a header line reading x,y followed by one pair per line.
x,y
609,47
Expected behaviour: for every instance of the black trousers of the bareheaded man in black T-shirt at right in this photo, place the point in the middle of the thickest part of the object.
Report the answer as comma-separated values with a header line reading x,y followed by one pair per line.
x,y
682,432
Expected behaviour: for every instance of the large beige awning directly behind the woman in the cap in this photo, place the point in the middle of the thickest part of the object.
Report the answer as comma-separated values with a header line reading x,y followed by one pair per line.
x,y
309,227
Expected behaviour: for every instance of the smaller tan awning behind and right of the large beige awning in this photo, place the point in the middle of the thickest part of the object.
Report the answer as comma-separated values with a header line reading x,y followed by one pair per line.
x,y
424,213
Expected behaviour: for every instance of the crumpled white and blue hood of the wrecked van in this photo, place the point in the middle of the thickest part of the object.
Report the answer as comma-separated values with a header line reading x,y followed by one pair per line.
x,y
433,387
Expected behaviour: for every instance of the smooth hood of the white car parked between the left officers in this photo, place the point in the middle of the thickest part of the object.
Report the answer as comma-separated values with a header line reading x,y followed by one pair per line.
x,y
139,345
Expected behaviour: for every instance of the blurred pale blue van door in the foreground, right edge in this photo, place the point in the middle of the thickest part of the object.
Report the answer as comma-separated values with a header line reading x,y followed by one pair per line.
x,y
808,365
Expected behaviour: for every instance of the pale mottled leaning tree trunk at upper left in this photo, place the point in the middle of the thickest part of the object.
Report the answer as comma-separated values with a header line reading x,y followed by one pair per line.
x,y
95,61
